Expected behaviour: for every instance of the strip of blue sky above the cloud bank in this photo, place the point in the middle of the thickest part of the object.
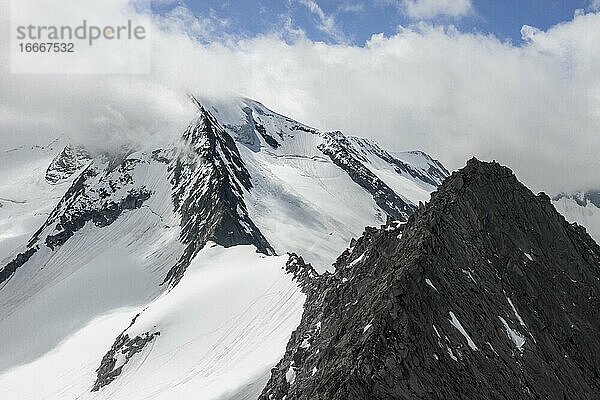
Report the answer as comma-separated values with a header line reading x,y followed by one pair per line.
x,y
354,21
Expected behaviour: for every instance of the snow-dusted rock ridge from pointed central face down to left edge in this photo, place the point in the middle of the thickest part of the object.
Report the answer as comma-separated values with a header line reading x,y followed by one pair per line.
x,y
207,179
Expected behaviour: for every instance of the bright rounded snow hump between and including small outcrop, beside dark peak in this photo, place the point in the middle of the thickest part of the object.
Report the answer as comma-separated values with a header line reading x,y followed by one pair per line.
x,y
224,324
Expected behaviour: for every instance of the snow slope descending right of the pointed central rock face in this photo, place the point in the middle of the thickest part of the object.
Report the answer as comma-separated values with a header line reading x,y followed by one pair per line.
x,y
302,201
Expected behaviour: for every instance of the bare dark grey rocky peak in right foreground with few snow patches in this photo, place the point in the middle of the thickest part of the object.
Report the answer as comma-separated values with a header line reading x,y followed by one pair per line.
x,y
486,293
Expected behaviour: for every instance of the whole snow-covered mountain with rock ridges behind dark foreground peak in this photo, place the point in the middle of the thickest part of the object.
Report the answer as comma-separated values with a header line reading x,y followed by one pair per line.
x,y
163,273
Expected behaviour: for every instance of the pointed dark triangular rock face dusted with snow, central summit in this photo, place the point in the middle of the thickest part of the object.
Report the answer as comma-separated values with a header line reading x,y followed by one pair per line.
x,y
208,179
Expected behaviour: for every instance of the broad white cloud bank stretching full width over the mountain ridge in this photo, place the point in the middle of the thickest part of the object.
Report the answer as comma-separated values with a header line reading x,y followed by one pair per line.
x,y
534,107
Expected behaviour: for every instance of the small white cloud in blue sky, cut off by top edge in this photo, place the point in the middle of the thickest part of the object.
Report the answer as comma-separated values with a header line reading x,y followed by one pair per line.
x,y
429,9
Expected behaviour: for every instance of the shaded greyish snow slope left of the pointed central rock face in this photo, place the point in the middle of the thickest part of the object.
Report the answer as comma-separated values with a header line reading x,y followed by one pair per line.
x,y
97,270
